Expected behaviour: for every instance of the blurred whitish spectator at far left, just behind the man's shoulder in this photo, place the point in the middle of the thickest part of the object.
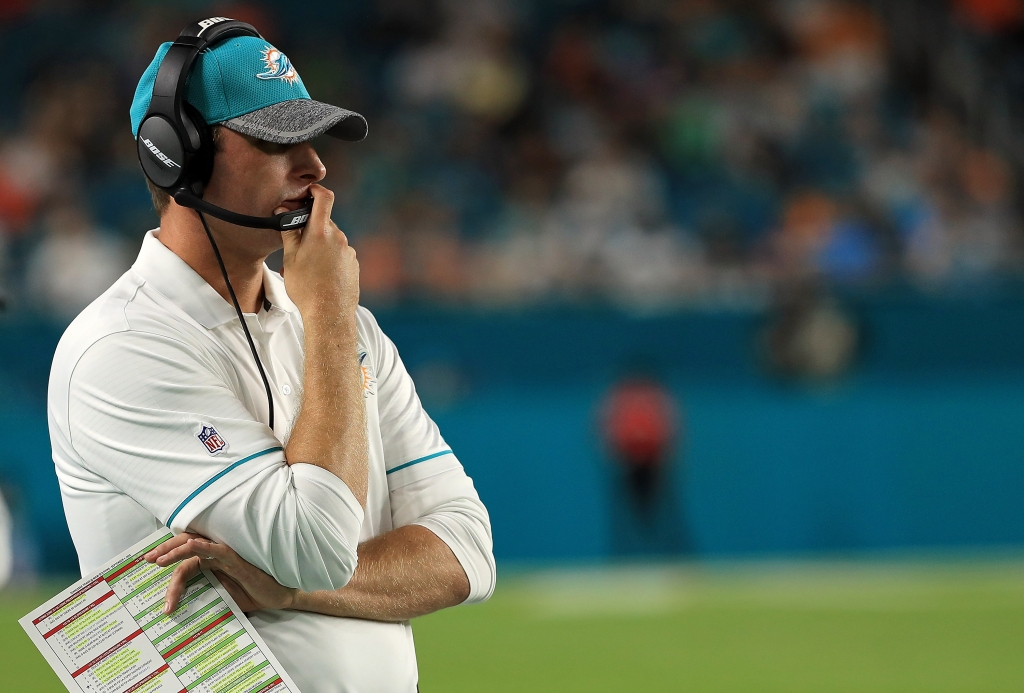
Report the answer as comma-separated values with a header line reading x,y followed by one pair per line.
x,y
74,264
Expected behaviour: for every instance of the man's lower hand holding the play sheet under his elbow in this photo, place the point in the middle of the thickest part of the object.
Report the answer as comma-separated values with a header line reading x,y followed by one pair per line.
x,y
249,587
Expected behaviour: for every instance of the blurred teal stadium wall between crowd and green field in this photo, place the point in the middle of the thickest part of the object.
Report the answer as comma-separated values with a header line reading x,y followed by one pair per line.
x,y
922,445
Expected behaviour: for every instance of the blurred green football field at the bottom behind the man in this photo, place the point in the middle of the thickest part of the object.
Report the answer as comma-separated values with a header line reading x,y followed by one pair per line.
x,y
858,627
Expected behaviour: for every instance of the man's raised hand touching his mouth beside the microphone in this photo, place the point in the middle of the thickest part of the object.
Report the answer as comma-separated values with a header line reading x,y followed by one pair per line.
x,y
322,275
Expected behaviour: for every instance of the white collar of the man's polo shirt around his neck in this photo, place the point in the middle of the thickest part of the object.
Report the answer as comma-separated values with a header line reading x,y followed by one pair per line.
x,y
173,277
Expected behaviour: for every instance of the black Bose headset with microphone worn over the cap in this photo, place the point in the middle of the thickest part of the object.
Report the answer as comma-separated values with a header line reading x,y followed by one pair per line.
x,y
176,147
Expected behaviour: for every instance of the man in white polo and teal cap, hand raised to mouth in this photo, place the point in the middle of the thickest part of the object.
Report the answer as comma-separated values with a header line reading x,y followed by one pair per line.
x,y
352,515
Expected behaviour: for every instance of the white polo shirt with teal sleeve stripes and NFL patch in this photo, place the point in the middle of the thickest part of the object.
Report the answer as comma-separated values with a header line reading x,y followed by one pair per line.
x,y
158,417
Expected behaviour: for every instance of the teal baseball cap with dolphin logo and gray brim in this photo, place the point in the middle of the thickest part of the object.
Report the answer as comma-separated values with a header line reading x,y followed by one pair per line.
x,y
247,85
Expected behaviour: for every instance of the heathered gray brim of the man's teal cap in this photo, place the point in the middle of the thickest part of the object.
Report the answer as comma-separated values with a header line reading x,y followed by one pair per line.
x,y
300,120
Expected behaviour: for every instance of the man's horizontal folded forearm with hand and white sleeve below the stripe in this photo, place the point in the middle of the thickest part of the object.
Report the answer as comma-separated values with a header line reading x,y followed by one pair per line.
x,y
407,573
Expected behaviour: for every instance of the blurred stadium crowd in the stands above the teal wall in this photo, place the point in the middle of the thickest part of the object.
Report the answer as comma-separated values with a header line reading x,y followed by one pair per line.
x,y
654,153
